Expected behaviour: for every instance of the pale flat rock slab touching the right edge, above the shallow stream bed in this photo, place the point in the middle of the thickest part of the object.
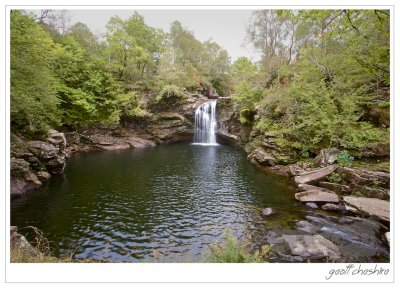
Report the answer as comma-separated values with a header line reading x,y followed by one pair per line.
x,y
372,206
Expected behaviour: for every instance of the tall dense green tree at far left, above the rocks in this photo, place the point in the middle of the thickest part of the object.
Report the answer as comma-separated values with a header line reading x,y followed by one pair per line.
x,y
34,103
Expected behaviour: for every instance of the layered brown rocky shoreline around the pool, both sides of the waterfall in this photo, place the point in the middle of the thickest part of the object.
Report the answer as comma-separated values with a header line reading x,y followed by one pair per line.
x,y
353,196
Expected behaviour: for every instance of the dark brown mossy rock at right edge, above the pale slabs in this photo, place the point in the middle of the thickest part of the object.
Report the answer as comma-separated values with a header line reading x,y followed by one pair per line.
x,y
364,177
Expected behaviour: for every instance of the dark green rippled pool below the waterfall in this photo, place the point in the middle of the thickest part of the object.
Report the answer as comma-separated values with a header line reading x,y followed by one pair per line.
x,y
161,204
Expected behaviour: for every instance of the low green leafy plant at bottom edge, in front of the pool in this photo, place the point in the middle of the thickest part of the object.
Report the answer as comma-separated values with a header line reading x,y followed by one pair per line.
x,y
233,252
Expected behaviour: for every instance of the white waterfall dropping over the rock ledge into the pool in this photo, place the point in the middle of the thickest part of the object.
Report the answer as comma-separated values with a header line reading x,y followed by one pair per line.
x,y
206,124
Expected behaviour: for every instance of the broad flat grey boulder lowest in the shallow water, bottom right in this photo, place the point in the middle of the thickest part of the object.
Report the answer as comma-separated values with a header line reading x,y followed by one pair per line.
x,y
312,247
